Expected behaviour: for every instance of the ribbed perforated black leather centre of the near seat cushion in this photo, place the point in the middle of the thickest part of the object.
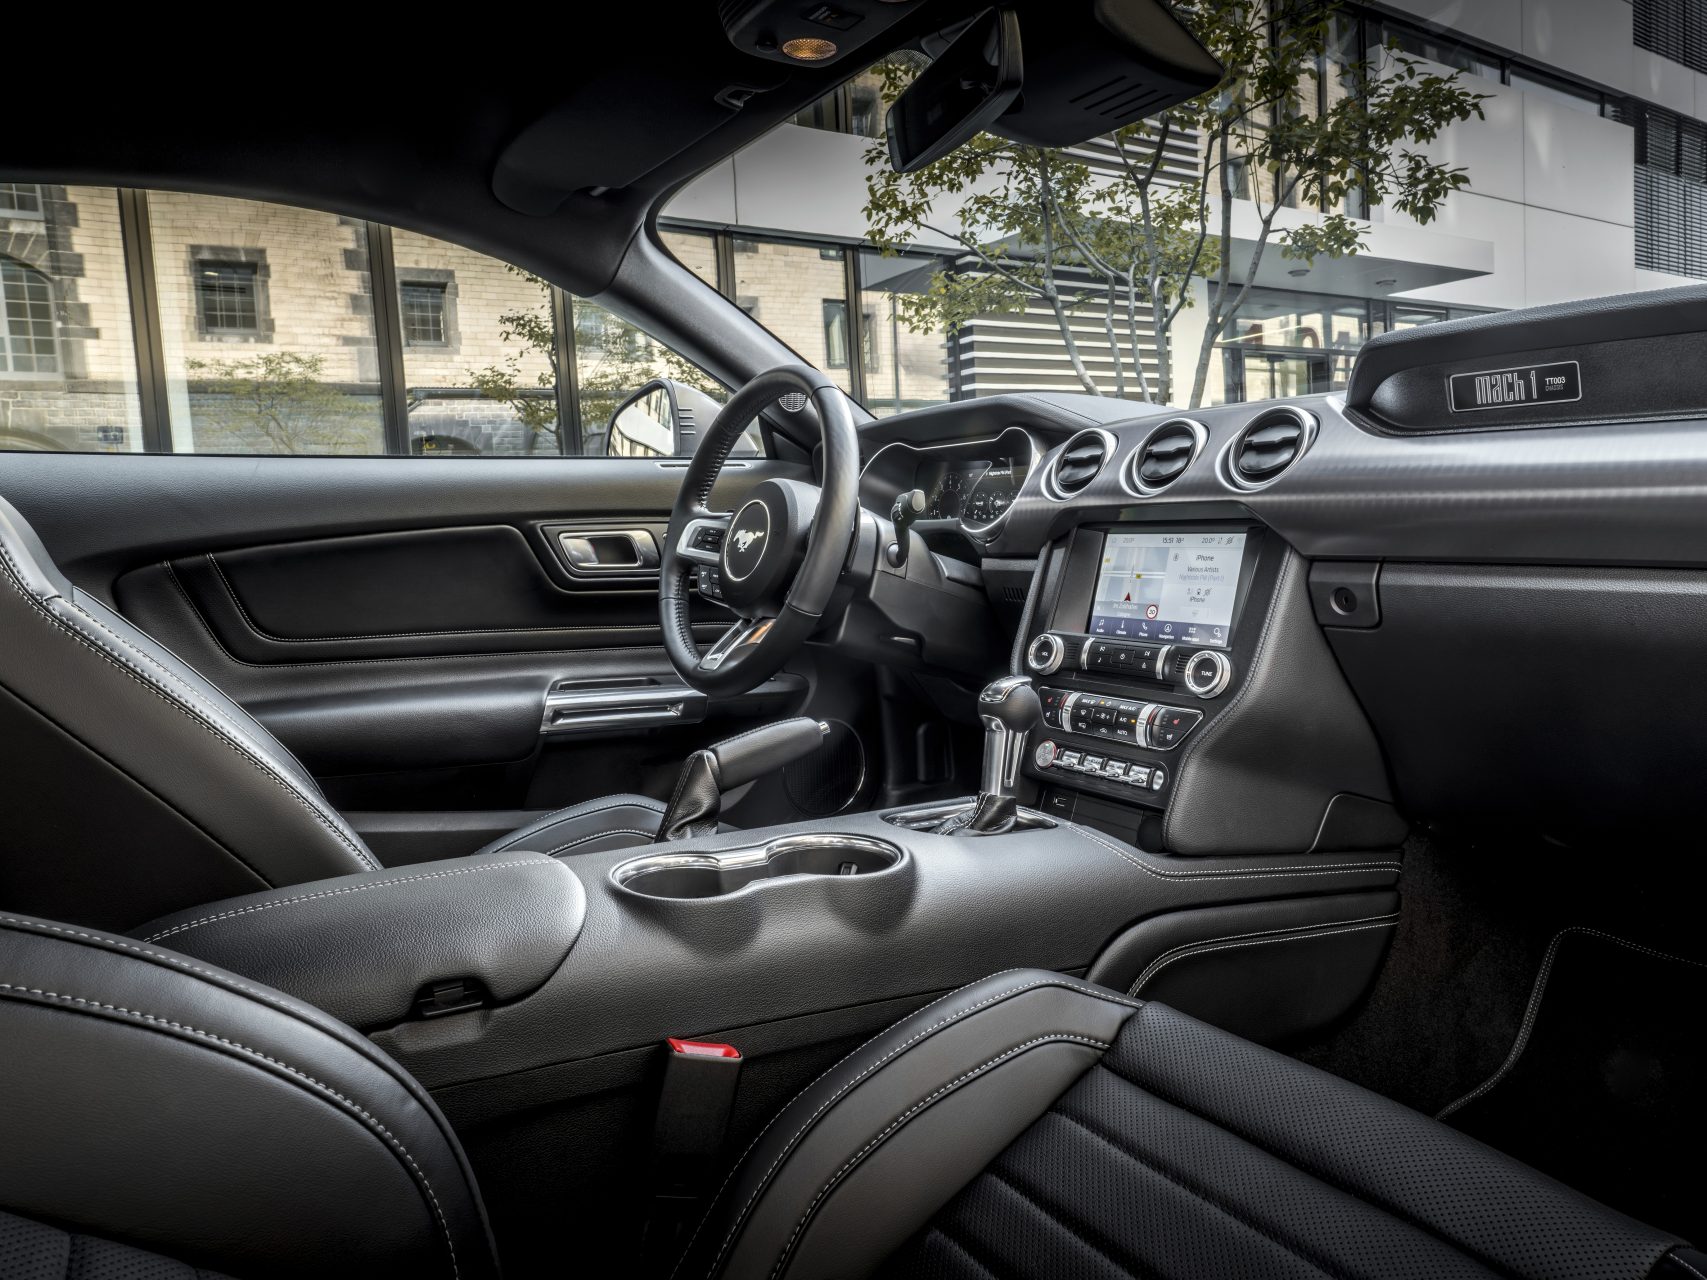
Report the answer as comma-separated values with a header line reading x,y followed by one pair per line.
x,y
1189,1153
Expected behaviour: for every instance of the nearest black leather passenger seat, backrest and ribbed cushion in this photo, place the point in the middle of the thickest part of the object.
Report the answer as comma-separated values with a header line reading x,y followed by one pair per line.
x,y
163,1115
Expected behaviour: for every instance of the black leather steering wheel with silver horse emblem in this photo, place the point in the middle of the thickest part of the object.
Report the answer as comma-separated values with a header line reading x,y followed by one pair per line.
x,y
778,559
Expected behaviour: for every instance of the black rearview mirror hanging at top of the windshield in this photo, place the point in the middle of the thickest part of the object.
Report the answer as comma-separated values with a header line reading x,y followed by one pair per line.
x,y
958,95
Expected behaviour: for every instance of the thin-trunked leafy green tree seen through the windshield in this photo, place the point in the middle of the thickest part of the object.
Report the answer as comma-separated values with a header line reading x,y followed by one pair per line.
x,y
1122,238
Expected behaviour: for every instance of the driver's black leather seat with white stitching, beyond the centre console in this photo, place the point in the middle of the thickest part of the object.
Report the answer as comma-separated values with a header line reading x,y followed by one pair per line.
x,y
136,788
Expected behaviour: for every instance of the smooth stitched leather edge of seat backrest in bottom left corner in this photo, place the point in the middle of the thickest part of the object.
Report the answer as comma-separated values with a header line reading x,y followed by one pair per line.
x,y
177,1108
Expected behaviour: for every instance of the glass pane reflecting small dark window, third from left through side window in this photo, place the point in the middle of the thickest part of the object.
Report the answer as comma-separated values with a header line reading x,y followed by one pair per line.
x,y
481,356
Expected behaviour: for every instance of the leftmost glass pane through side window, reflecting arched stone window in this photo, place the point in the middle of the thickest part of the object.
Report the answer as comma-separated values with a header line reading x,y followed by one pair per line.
x,y
67,359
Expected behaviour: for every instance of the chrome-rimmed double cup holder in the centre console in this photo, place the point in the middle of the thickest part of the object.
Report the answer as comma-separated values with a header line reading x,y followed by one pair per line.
x,y
725,871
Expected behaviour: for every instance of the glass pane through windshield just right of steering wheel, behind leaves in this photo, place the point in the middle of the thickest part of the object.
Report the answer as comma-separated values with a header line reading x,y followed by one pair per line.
x,y
906,369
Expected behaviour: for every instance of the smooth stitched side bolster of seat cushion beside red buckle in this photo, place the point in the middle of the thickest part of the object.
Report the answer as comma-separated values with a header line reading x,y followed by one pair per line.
x,y
868,1153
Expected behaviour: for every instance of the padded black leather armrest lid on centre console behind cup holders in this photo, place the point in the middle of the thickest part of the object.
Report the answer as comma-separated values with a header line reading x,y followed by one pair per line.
x,y
364,946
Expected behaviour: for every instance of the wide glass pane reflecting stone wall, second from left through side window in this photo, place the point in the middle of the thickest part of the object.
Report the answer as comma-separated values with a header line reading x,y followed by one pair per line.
x,y
267,325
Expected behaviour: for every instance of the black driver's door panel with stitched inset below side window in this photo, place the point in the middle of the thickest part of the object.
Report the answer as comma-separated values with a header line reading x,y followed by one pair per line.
x,y
400,622
